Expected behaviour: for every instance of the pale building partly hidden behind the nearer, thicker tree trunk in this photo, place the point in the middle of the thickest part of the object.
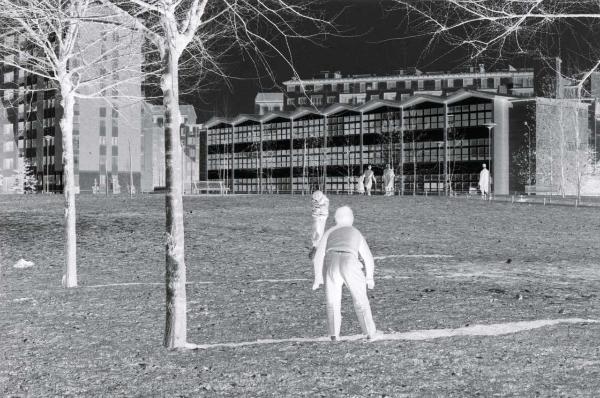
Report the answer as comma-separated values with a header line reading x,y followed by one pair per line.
x,y
153,147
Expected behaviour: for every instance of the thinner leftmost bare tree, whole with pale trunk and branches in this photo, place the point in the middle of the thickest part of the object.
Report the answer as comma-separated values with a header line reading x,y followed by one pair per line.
x,y
59,42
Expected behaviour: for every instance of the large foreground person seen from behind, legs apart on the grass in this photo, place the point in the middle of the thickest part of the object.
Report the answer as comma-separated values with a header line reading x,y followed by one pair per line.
x,y
336,264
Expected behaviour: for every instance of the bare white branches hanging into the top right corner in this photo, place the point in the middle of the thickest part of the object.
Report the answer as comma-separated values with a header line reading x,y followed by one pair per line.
x,y
502,27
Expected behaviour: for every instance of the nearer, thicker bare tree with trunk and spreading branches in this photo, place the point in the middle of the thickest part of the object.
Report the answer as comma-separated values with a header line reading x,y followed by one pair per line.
x,y
193,33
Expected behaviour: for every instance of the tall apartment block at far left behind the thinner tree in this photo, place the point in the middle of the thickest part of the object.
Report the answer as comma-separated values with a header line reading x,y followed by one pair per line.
x,y
106,130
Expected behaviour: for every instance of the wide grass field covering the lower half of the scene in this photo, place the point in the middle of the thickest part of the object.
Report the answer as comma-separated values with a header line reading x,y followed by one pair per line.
x,y
250,279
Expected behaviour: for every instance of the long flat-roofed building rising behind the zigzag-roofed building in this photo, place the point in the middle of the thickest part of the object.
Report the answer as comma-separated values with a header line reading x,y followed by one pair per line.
x,y
332,88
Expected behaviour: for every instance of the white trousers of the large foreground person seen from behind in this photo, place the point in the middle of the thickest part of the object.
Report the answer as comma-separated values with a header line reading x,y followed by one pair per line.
x,y
345,269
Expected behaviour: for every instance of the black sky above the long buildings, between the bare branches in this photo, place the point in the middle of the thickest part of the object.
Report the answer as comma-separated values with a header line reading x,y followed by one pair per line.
x,y
366,45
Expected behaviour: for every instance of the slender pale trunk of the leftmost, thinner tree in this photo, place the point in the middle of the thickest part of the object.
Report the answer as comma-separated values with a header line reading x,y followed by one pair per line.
x,y
66,125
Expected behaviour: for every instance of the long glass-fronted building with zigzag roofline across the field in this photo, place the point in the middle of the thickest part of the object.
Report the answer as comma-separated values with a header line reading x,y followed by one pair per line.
x,y
427,139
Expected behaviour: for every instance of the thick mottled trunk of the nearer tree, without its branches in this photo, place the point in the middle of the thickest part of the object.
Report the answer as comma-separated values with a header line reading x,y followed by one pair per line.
x,y
176,322
